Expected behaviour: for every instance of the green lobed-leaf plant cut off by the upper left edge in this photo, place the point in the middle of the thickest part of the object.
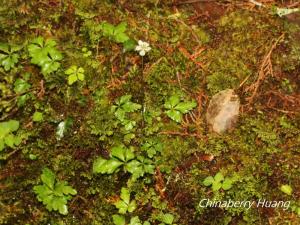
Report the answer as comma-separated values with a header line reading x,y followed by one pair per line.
x,y
8,55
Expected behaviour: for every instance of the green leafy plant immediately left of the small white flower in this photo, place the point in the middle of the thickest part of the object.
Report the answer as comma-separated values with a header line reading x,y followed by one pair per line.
x,y
117,34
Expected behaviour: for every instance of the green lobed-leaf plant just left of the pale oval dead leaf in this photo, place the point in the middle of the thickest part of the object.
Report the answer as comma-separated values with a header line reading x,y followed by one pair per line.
x,y
176,108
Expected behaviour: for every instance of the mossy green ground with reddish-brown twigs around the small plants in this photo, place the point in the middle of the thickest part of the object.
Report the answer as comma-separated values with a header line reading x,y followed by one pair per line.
x,y
197,50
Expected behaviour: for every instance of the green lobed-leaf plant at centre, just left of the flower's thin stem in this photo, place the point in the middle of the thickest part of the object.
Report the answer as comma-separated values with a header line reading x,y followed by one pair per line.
x,y
122,106
